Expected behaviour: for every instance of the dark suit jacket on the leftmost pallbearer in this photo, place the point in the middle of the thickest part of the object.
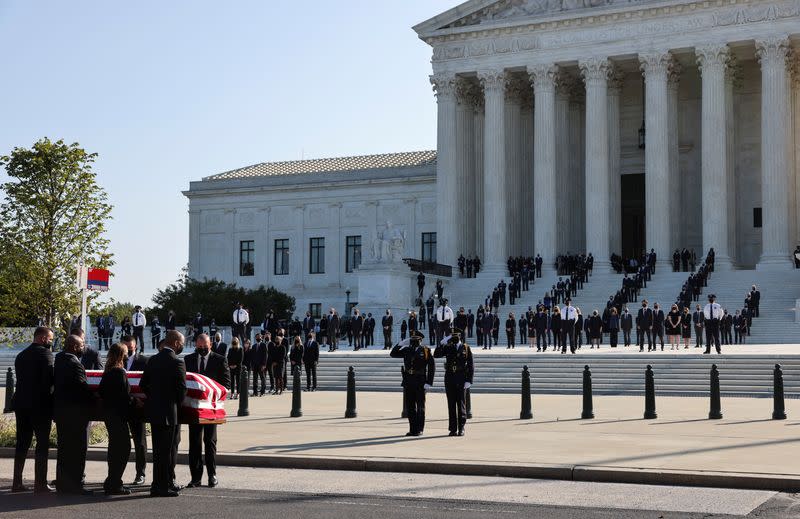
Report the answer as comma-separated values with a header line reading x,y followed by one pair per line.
x,y
34,390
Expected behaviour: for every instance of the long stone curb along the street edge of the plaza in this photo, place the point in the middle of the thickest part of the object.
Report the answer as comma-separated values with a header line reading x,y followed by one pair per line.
x,y
584,473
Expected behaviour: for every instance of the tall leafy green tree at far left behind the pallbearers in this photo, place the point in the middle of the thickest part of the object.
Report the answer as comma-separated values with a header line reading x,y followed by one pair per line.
x,y
53,214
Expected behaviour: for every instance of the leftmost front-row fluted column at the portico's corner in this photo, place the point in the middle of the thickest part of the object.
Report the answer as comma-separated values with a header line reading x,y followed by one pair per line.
x,y
446,152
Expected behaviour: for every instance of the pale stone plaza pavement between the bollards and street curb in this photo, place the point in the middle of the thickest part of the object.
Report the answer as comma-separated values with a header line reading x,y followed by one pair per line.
x,y
746,449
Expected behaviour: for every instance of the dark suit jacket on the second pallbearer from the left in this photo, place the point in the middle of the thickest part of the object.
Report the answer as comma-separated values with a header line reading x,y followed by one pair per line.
x,y
72,397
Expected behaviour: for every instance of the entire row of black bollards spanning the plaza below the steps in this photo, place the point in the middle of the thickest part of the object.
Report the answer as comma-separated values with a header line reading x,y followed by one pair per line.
x,y
526,411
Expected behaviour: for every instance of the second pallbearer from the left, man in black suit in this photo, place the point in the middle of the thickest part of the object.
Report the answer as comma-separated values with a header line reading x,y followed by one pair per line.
x,y
73,402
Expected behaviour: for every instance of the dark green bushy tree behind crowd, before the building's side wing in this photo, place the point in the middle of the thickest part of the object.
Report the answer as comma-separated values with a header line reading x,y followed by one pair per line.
x,y
217,299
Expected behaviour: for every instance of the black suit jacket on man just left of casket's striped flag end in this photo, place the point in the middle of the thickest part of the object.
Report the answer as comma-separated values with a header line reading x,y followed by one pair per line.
x,y
164,383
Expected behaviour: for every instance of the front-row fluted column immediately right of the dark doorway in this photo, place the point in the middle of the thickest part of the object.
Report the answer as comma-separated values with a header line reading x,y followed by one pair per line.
x,y
655,66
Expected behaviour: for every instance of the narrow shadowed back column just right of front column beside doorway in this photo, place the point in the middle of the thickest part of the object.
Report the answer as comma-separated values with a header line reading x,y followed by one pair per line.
x,y
675,198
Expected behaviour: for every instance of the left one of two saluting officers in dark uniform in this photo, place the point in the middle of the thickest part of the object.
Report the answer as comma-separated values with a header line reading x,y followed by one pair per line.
x,y
419,370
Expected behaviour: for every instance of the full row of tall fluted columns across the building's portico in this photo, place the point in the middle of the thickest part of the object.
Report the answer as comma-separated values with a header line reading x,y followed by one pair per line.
x,y
499,155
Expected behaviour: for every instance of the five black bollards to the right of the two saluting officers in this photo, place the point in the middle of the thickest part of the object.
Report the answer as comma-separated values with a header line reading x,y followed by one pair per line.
x,y
715,411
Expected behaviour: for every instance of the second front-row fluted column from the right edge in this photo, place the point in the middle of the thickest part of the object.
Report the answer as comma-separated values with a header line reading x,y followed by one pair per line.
x,y
713,62
